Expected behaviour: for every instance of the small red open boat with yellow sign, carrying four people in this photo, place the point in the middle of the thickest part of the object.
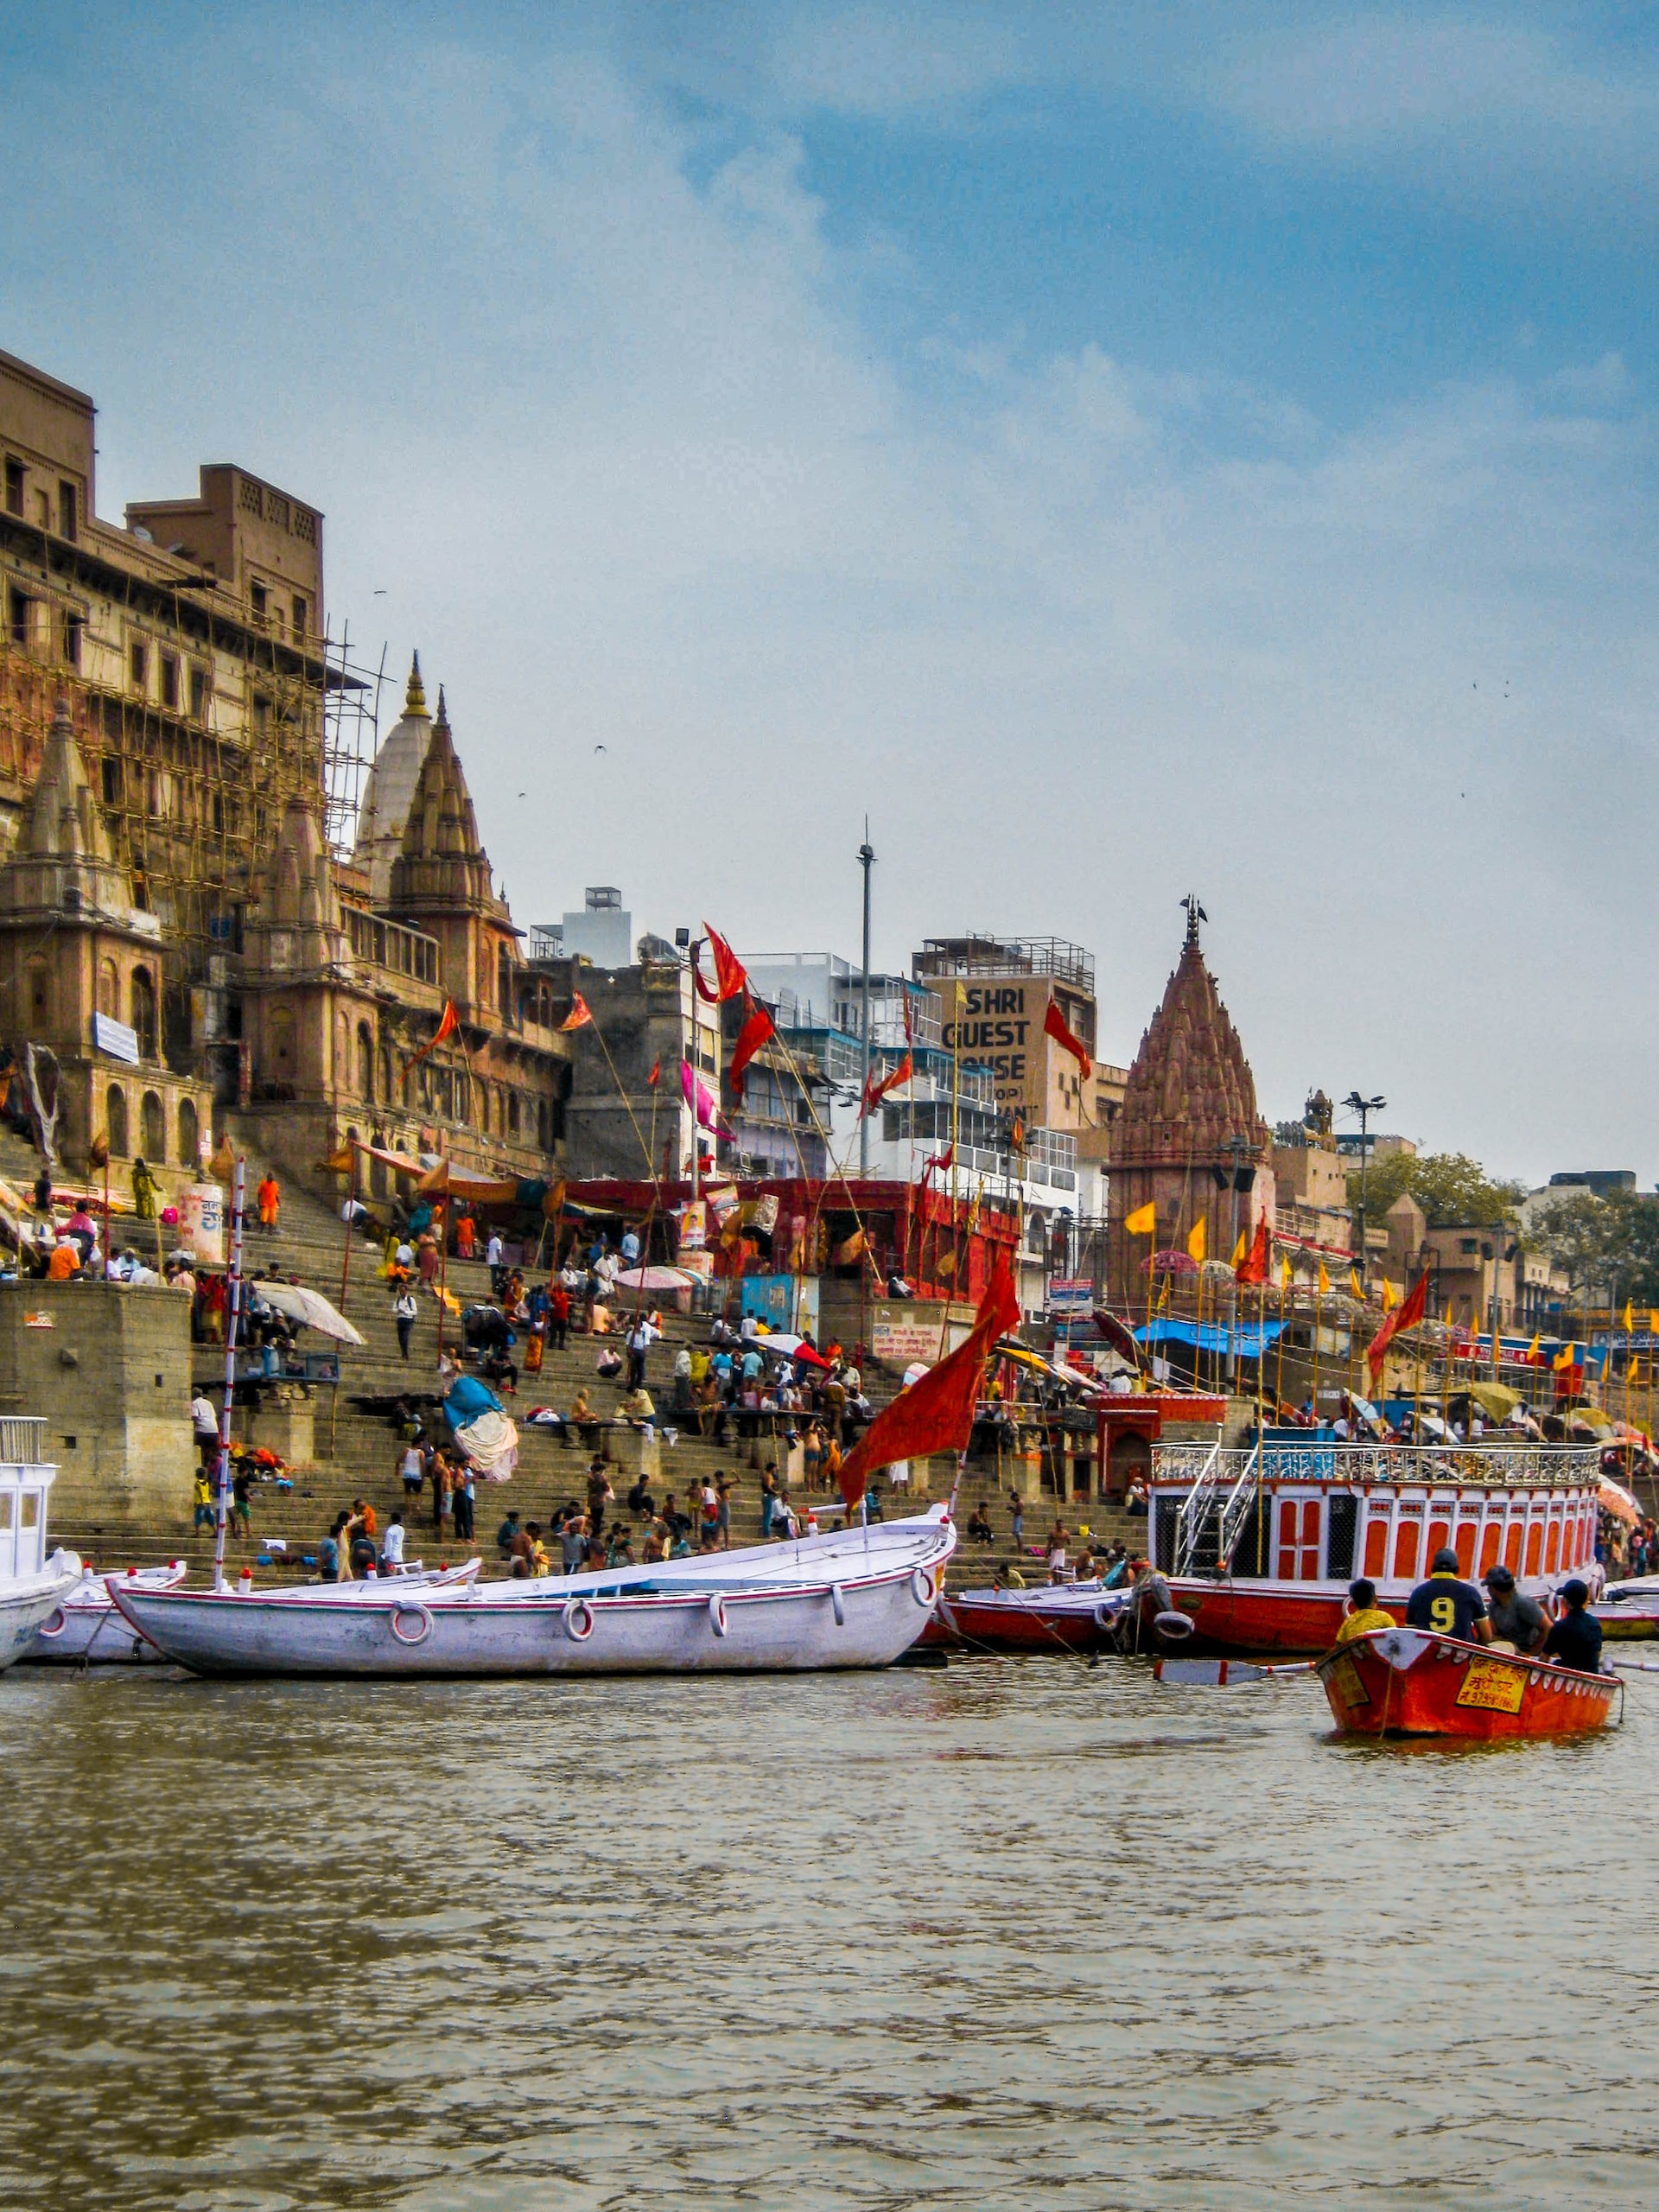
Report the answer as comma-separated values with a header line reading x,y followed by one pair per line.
x,y
1406,1682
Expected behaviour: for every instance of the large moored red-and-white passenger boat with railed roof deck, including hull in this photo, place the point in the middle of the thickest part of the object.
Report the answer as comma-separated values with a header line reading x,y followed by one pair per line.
x,y
1262,1543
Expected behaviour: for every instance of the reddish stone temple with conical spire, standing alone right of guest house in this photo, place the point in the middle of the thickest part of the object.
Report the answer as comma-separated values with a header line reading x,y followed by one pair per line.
x,y
1189,1138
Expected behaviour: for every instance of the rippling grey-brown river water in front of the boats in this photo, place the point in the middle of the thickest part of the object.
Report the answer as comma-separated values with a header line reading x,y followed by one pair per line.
x,y
1010,1934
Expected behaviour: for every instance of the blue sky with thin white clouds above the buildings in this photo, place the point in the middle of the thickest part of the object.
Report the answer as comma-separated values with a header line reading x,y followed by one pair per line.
x,y
1116,448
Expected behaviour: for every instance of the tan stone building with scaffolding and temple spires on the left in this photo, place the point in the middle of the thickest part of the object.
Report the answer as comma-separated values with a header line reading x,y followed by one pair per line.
x,y
196,917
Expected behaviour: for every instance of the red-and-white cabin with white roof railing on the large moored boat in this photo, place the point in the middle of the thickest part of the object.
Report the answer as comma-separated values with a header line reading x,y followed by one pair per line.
x,y
1333,1512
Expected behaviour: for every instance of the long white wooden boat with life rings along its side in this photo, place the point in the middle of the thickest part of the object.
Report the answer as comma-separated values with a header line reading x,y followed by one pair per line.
x,y
851,1600
